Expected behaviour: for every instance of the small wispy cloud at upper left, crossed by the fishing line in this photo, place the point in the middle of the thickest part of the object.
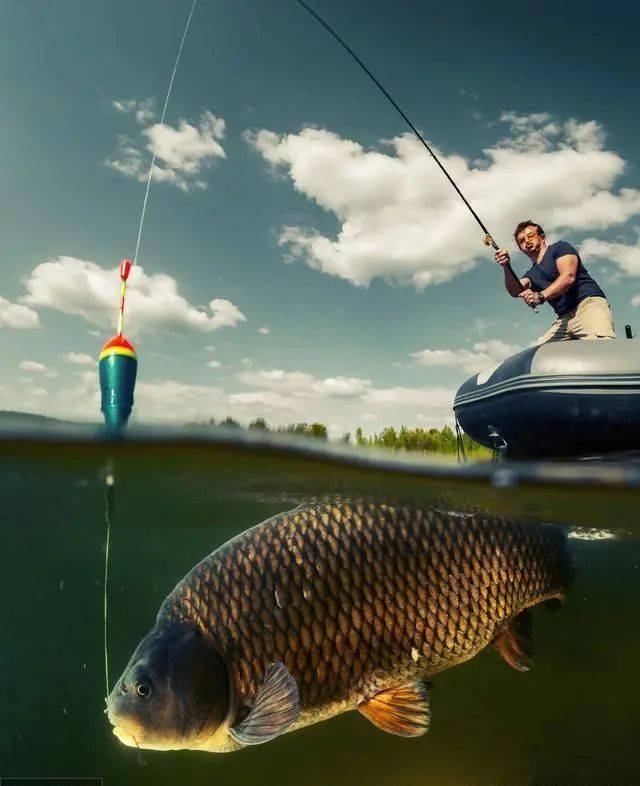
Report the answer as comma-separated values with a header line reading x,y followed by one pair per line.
x,y
182,153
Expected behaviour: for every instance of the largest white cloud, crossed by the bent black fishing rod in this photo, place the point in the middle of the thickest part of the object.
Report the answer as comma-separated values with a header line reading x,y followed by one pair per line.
x,y
399,217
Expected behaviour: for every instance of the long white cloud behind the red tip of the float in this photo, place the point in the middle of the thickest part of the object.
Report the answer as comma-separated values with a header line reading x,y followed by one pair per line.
x,y
75,286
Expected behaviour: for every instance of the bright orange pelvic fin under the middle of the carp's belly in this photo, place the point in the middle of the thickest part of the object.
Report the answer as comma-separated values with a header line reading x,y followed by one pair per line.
x,y
404,711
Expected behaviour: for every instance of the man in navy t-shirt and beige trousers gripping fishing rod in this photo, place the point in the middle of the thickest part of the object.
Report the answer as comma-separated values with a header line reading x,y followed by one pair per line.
x,y
558,276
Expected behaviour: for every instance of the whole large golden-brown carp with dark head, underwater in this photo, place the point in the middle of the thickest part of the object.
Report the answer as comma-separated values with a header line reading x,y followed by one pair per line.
x,y
333,606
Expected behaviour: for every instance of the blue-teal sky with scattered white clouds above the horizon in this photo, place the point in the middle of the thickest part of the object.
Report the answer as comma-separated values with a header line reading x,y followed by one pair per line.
x,y
303,258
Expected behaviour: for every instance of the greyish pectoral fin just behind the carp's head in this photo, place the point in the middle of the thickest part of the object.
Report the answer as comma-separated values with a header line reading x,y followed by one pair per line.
x,y
276,707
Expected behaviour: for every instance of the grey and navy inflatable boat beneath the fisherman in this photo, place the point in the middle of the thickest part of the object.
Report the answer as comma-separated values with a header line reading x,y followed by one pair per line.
x,y
562,399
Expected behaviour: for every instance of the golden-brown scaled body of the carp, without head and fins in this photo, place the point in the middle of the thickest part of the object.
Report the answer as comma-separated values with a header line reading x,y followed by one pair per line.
x,y
357,597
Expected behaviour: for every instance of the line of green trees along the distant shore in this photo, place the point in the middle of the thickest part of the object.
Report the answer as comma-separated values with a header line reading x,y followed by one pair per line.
x,y
432,440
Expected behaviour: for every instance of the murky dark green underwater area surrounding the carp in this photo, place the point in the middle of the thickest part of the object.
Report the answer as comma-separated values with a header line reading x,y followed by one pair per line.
x,y
573,719
